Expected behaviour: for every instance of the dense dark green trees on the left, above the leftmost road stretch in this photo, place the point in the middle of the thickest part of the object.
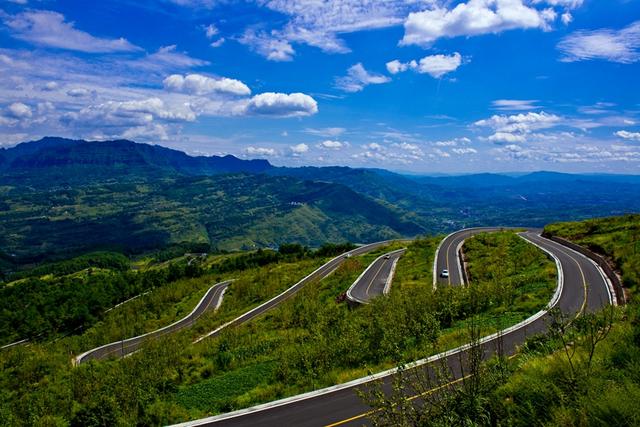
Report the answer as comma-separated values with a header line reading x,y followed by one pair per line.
x,y
64,303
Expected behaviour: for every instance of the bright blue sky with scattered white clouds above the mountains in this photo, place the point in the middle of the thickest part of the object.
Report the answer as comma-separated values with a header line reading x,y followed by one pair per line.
x,y
422,86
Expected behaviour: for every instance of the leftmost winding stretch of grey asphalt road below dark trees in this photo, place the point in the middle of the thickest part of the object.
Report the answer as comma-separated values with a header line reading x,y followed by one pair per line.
x,y
211,300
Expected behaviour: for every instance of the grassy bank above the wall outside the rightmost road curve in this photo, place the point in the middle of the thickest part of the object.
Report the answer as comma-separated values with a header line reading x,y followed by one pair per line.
x,y
618,238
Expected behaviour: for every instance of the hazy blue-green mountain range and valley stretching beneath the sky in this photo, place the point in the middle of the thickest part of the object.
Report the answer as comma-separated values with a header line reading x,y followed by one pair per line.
x,y
60,196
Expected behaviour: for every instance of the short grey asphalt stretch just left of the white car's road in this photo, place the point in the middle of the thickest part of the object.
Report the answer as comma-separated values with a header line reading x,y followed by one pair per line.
x,y
373,281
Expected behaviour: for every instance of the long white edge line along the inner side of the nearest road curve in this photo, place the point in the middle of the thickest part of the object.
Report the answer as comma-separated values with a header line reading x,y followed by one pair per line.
x,y
380,375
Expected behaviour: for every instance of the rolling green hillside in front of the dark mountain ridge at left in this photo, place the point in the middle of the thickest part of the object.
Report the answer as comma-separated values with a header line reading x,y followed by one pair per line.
x,y
227,212
